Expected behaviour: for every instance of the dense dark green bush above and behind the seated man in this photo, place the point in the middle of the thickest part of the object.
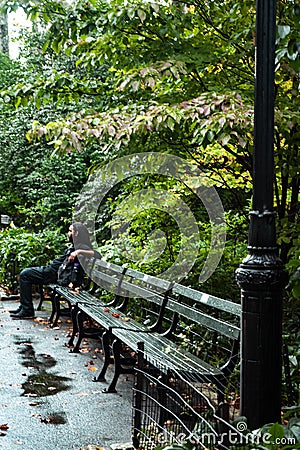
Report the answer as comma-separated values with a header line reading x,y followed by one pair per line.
x,y
37,190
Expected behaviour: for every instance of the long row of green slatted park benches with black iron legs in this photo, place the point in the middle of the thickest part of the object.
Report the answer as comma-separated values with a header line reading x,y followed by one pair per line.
x,y
179,324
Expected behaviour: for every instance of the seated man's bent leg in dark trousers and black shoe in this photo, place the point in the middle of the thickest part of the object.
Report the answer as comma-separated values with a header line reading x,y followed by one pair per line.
x,y
28,277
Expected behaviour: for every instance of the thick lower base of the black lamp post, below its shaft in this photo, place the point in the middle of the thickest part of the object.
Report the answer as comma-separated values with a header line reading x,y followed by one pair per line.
x,y
261,277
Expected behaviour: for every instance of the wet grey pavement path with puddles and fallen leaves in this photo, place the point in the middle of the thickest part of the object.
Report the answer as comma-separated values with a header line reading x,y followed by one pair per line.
x,y
48,400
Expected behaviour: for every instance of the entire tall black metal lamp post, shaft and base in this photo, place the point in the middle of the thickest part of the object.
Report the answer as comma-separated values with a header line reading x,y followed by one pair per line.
x,y
261,275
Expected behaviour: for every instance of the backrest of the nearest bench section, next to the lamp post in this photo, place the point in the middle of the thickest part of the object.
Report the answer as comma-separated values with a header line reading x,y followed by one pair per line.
x,y
205,324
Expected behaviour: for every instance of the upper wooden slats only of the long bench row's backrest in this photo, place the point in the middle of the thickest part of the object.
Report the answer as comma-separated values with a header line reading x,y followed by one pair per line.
x,y
213,312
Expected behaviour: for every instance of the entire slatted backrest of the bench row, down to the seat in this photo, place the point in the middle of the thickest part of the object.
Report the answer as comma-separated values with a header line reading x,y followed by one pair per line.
x,y
200,322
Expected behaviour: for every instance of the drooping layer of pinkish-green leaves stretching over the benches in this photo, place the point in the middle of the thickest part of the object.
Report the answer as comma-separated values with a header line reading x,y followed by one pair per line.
x,y
220,118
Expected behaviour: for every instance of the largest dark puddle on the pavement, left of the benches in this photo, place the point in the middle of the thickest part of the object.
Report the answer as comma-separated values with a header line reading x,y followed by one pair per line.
x,y
41,383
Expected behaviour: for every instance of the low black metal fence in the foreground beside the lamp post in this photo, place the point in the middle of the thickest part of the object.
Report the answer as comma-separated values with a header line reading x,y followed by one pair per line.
x,y
171,408
